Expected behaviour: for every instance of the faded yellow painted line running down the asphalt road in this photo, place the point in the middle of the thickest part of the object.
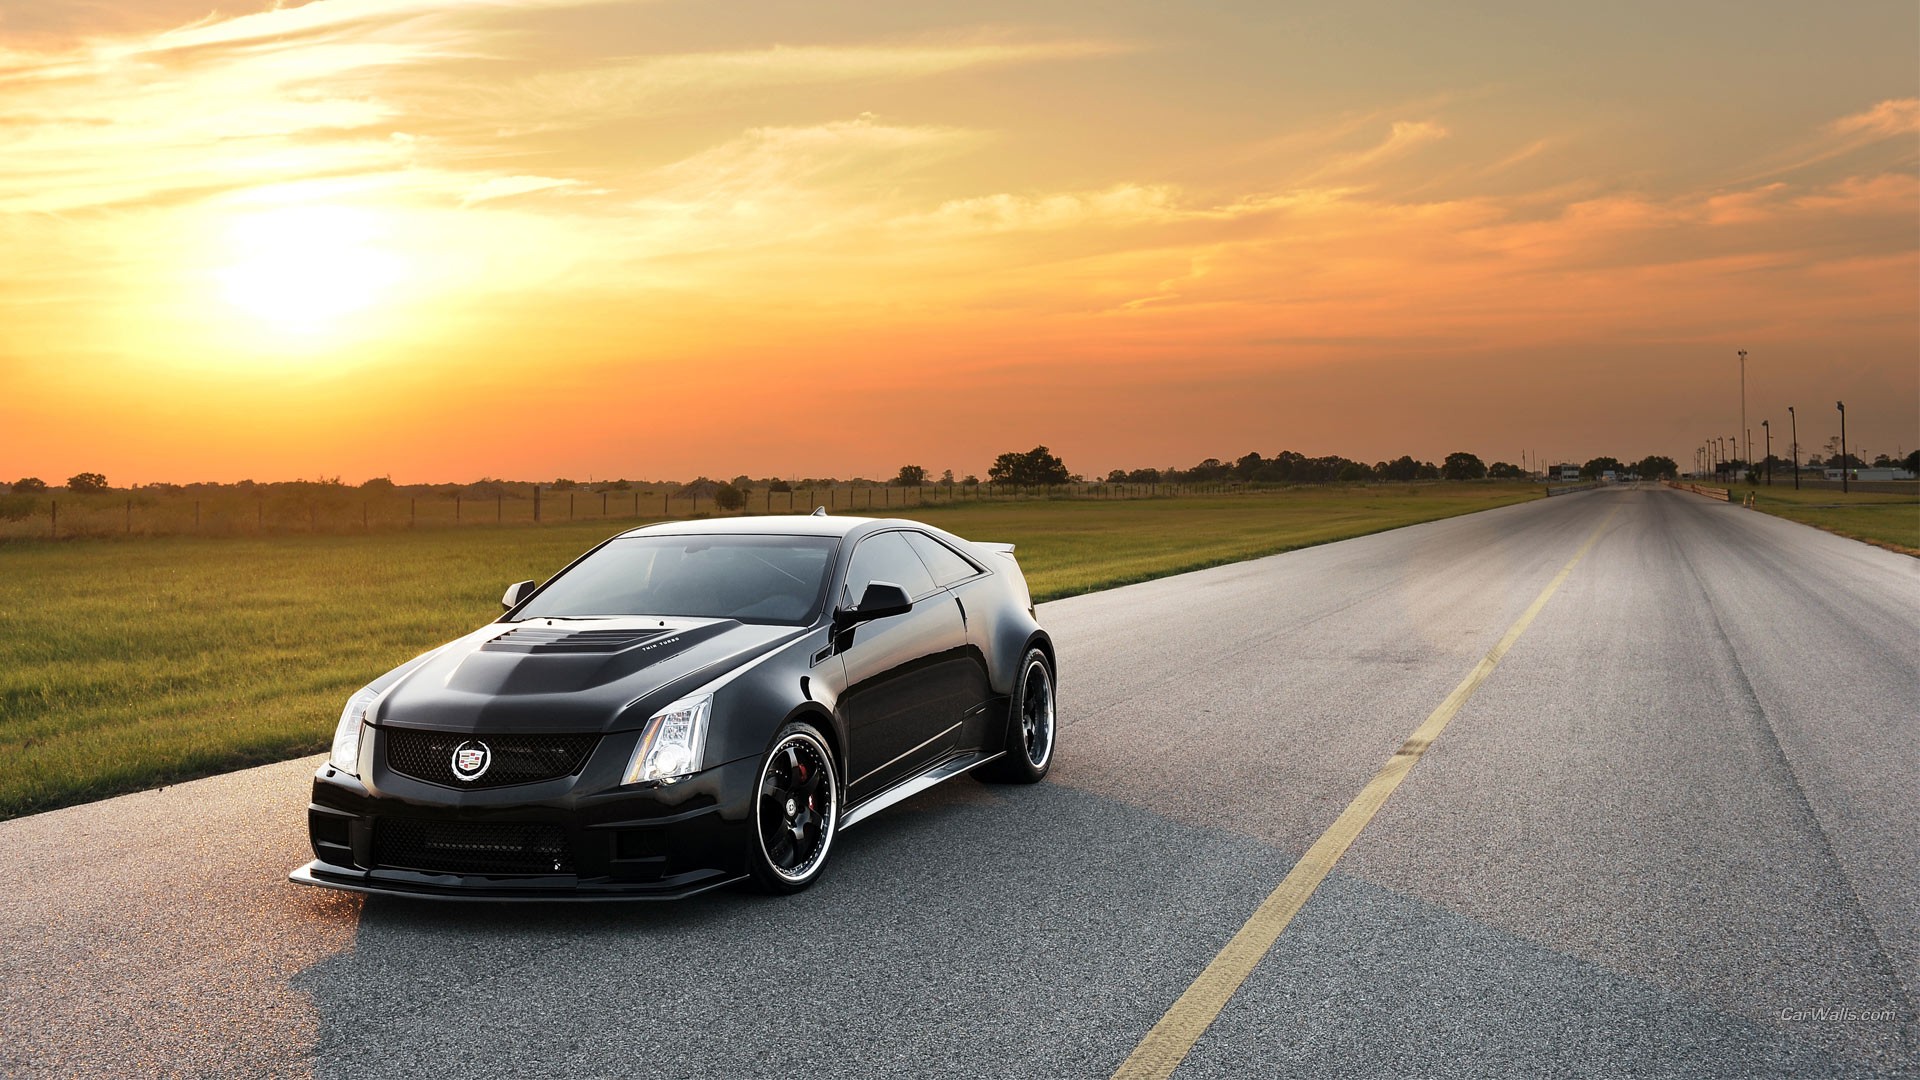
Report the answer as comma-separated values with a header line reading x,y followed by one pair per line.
x,y
1166,1046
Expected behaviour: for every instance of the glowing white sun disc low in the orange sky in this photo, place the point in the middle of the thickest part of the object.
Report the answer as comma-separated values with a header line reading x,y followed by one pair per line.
x,y
308,272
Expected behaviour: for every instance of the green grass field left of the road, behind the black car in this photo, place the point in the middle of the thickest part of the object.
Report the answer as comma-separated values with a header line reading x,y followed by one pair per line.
x,y
133,664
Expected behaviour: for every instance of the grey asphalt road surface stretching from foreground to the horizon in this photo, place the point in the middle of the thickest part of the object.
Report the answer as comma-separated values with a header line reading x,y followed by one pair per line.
x,y
1679,822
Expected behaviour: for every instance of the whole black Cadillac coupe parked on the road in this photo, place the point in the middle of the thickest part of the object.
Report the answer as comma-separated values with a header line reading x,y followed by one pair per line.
x,y
688,706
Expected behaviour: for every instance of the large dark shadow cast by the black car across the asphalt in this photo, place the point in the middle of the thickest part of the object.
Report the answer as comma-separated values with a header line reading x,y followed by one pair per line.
x,y
986,933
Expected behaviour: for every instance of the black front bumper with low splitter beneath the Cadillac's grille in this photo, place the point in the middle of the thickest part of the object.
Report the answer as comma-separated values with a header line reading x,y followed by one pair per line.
x,y
402,837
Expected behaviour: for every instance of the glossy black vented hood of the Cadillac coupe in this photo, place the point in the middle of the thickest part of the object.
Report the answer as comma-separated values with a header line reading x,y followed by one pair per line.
x,y
569,675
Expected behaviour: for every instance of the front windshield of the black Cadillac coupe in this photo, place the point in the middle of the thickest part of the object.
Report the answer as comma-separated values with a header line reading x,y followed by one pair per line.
x,y
756,579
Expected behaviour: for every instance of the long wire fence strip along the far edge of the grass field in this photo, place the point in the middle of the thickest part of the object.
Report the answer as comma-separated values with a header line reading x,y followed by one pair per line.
x,y
341,510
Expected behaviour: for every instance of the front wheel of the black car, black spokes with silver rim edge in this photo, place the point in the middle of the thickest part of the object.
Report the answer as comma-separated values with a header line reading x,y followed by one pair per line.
x,y
796,812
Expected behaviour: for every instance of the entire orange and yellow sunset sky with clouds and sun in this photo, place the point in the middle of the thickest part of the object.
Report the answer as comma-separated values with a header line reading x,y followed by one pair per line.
x,y
539,239
